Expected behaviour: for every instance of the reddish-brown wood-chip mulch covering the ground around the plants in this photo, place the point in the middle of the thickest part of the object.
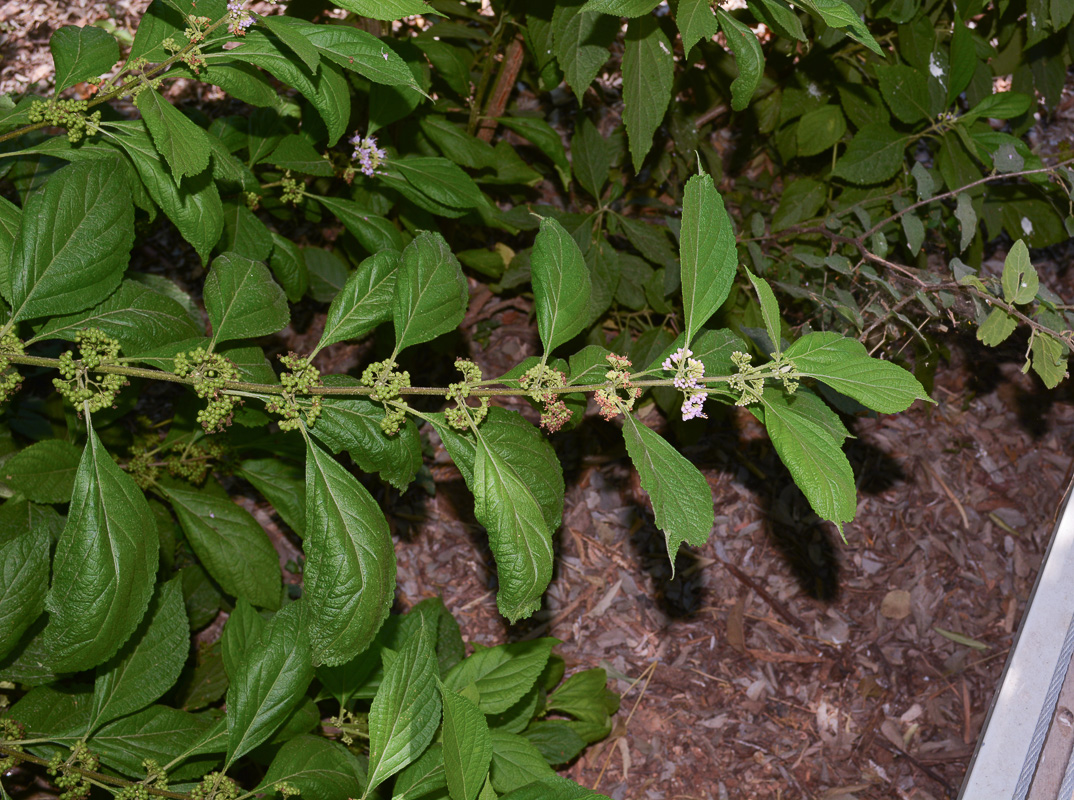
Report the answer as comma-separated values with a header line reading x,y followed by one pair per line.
x,y
781,662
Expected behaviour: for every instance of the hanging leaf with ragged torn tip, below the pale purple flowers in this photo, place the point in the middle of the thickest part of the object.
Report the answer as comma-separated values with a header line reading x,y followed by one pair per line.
x,y
683,500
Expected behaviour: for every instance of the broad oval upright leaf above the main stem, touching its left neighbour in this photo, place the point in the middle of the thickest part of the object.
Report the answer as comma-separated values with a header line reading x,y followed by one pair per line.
x,y
431,292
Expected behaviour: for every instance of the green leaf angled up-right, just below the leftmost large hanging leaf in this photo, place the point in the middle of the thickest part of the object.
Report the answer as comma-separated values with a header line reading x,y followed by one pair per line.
x,y
149,665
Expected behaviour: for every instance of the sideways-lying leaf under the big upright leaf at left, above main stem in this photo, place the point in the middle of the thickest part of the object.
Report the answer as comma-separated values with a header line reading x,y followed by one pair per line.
x,y
138,317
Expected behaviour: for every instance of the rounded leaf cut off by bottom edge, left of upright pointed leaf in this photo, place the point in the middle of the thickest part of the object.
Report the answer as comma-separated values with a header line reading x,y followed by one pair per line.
x,y
318,768
